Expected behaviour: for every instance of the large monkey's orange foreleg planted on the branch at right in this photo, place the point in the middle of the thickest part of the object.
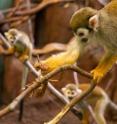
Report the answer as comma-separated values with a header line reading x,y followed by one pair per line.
x,y
104,66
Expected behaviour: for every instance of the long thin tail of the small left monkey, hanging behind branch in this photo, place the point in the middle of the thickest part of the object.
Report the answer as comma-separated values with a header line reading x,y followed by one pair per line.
x,y
23,83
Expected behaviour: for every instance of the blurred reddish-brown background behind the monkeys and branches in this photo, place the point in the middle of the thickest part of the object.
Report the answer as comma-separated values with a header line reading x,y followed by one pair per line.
x,y
47,24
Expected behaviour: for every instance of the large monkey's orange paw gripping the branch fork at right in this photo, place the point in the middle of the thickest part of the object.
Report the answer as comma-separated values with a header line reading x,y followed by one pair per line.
x,y
97,74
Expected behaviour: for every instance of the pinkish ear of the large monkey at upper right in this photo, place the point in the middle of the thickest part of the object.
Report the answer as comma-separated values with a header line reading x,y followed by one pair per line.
x,y
94,22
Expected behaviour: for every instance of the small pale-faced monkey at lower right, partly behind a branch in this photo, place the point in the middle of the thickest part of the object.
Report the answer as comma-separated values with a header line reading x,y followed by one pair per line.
x,y
98,99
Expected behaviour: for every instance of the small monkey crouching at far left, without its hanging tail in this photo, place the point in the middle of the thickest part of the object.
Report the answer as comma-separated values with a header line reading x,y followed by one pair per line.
x,y
20,44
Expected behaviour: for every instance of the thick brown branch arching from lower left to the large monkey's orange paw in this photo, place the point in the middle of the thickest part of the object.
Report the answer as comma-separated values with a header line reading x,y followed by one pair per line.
x,y
36,84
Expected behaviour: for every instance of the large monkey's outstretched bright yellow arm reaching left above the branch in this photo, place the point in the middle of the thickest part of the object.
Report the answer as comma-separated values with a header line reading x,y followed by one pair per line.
x,y
68,57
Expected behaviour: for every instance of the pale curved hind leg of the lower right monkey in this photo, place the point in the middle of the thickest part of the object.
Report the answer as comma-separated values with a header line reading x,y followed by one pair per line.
x,y
99,110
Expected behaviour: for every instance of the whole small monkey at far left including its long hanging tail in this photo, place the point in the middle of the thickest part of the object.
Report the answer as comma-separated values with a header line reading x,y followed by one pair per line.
x,y
22,48
